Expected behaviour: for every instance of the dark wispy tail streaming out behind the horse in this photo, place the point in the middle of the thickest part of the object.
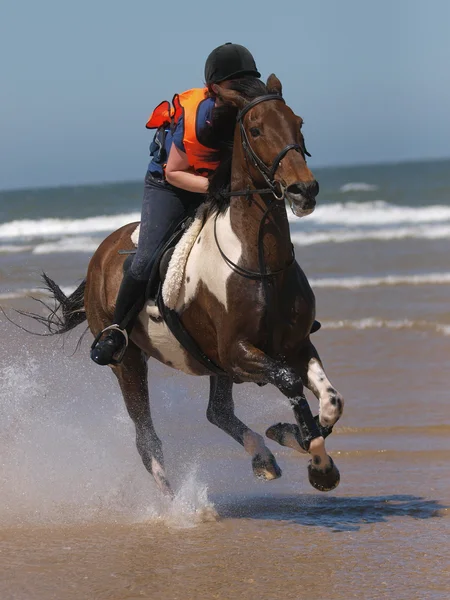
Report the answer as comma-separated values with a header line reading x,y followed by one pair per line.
x,y
66,314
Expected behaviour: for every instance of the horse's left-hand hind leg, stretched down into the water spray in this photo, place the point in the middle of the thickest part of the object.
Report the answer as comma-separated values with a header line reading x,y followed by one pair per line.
x,y
132,376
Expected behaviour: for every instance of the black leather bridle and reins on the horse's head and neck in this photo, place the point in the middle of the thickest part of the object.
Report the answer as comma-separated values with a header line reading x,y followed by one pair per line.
x,y
279,195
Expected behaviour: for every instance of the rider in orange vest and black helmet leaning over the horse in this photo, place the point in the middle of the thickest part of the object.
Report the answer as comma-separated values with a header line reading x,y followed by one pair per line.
x,y
175,185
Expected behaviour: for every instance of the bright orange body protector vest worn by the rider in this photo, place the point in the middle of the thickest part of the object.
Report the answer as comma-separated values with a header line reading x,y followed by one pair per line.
x,y
167,115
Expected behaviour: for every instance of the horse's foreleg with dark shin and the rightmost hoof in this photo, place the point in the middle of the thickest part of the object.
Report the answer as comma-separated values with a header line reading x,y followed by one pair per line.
x,y
251,363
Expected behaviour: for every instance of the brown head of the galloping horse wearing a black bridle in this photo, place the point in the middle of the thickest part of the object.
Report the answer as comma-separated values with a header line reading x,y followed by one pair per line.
x,y
273,146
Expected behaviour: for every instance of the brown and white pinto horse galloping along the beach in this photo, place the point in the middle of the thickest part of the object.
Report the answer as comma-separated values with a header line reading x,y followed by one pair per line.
x,y
244,299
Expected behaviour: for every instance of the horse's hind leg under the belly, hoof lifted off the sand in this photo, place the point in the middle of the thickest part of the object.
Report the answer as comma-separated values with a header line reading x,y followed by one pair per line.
x,y
221,413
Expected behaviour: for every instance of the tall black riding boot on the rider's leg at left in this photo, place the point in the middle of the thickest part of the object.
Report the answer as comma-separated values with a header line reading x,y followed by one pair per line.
x,y
110,345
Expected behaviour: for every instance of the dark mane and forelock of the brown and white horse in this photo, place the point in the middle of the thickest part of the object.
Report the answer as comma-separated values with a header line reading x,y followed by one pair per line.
x,y
223,125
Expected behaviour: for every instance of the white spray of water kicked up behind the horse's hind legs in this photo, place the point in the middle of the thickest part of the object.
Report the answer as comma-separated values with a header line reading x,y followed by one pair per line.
x,y
68,457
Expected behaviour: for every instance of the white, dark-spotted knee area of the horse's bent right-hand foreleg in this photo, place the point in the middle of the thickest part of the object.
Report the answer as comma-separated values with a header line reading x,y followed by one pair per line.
x,y
331,402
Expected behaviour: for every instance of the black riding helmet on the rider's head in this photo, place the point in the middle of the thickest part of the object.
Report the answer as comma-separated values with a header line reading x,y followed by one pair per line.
x,y
229,61
